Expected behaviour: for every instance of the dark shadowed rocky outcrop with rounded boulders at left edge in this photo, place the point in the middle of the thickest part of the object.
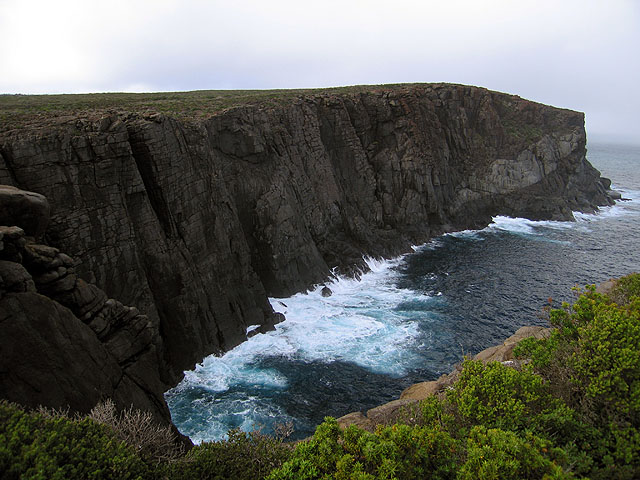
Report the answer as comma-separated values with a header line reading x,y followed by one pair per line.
x,y
64,344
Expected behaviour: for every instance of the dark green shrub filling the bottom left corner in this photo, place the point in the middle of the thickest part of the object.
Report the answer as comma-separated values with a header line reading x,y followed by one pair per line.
x,y
33,446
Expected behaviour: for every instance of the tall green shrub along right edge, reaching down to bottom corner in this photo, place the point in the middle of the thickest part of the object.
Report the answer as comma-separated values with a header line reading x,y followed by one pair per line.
x,y
592,363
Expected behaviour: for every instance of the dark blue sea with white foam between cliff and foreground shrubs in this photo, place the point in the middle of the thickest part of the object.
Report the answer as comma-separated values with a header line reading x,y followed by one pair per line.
x,y
411,319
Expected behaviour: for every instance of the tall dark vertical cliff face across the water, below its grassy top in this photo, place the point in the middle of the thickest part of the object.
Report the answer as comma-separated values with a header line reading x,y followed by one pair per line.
x,y
195,223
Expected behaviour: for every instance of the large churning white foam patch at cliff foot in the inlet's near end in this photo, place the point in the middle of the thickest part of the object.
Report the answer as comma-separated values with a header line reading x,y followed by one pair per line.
x,y
359,323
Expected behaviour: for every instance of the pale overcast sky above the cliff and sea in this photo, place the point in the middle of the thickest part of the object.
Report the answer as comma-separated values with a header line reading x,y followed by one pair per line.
x,y
578,54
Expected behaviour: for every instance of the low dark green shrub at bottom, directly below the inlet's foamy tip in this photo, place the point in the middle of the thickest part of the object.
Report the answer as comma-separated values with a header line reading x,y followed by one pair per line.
x,y
244,456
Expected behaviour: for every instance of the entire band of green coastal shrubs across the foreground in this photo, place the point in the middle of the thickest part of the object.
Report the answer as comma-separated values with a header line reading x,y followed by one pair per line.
x,y
570,408
